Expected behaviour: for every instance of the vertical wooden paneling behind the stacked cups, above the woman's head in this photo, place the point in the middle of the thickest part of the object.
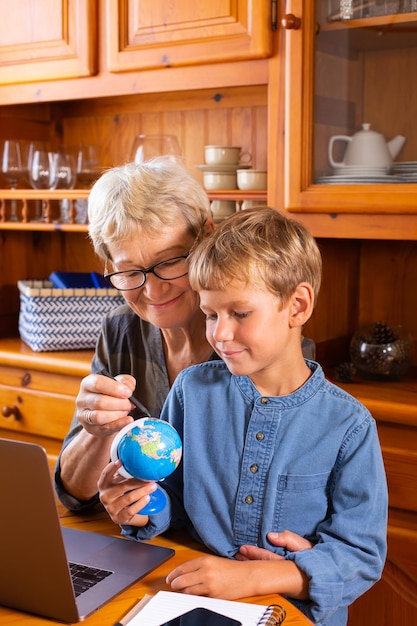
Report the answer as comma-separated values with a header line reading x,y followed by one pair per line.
x,y
198,118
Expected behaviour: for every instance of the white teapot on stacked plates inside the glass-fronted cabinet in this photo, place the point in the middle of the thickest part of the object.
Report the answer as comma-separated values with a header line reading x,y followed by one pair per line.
x,y
367,148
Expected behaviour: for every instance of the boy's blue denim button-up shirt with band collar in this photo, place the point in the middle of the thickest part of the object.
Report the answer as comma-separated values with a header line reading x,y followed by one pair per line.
x,y
309,462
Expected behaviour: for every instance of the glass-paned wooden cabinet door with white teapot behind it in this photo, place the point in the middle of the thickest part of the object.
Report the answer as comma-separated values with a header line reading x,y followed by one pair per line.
x,y
342,71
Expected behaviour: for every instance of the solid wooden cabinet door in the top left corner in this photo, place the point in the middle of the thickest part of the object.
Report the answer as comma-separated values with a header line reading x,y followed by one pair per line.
x,y
46,40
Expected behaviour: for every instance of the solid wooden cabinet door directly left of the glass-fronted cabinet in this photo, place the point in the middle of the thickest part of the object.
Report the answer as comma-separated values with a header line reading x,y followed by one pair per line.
x,y
145,34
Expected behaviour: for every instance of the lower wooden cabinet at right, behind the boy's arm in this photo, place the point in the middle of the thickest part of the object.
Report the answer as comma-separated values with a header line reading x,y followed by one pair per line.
x,y
394,598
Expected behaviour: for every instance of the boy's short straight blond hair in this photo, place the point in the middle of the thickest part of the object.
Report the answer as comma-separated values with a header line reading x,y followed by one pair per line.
x,y
259,247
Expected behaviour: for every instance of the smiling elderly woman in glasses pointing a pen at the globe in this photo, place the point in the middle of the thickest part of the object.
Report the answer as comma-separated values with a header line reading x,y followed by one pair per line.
x,y
143,222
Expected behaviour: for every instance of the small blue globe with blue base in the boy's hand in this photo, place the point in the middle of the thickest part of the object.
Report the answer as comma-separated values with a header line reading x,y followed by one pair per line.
x,y
133,467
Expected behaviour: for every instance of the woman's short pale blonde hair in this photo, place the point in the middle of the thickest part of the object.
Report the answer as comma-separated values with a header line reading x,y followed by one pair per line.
x,y
142,199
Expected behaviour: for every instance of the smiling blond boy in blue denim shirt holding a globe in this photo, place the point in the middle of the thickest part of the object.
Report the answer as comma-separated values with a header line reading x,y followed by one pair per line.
x,y
268,443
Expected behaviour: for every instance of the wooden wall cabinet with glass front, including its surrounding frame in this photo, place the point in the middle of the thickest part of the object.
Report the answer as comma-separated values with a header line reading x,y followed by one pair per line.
x,y
337,75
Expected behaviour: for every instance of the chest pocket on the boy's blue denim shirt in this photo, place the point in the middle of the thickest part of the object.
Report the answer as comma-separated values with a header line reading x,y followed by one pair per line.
x,y
302,502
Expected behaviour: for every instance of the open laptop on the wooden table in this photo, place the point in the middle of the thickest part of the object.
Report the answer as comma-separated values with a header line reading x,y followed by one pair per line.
x,y
37,554
